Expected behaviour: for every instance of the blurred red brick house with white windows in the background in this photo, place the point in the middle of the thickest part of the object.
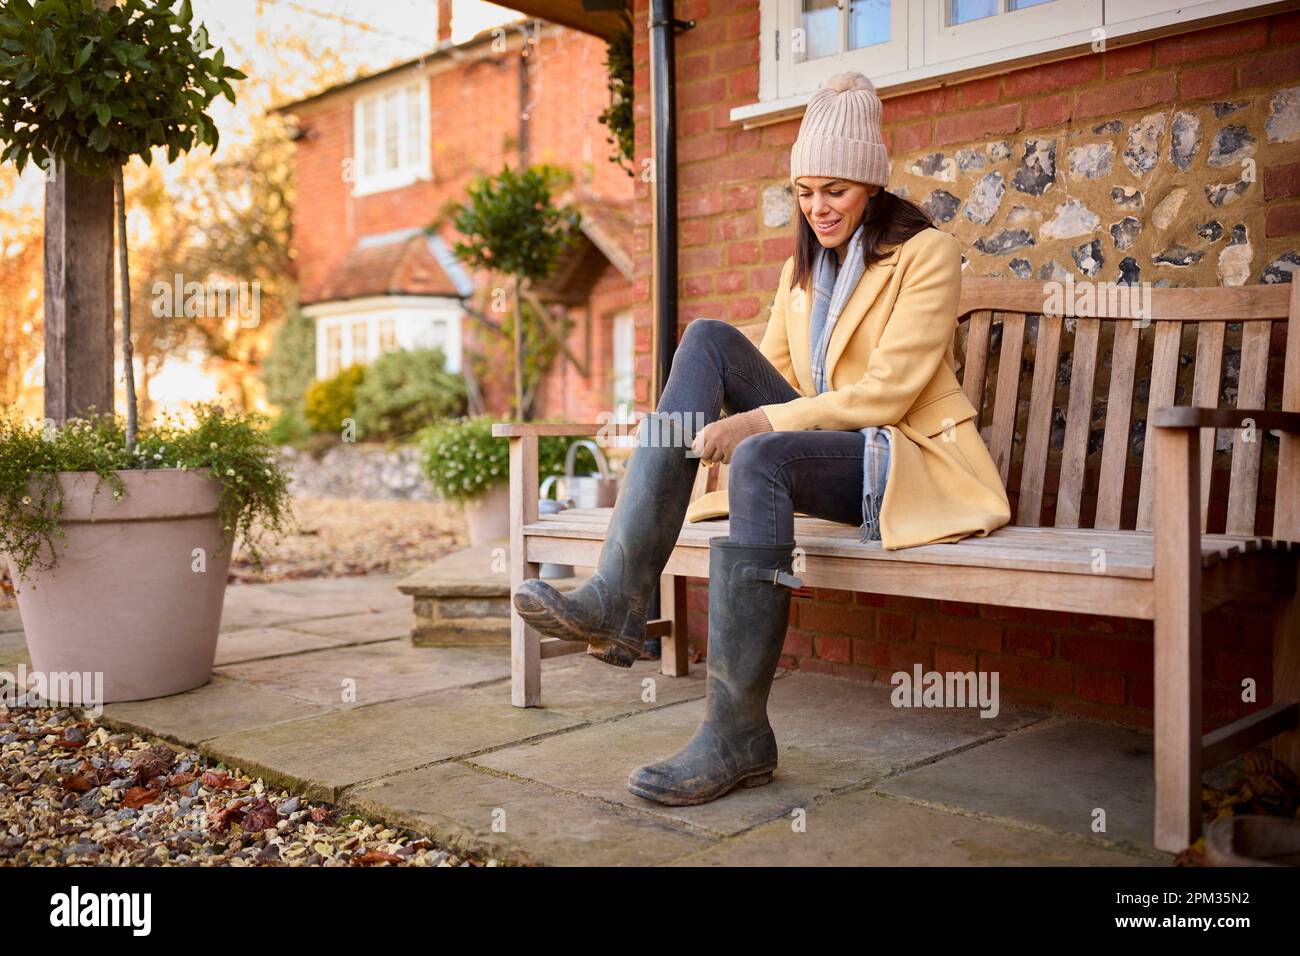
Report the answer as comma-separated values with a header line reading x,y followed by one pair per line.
x,y
379,157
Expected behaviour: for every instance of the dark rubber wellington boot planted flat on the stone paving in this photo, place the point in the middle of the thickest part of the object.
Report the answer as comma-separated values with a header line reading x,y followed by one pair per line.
x,y
749,604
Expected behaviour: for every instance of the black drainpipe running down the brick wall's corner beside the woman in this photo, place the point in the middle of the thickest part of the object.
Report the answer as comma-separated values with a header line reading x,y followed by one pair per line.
x,y
664,81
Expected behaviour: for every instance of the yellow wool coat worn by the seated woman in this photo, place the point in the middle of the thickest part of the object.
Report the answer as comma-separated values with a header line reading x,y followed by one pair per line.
x,y
891,362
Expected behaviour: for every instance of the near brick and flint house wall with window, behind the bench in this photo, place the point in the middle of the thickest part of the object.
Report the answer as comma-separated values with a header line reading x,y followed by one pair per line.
x,y
1172,155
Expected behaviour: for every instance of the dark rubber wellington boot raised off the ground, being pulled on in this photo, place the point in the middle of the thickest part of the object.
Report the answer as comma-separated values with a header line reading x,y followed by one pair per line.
x,y
609,611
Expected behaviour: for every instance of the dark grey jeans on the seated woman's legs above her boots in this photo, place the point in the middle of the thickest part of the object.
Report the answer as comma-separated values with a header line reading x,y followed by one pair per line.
x,y
773,474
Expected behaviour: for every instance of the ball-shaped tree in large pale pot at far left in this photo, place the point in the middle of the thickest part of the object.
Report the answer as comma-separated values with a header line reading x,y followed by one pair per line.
x,y
127,585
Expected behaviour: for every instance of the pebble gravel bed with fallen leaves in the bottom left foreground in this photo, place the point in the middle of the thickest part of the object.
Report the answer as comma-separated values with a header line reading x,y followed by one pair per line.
x,y
75,793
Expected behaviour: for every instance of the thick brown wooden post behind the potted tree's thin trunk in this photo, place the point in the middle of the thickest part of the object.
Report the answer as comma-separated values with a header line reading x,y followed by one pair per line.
x,y
79,295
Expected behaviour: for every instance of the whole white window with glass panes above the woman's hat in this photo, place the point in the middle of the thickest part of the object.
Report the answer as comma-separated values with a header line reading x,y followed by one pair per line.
x,y
904,42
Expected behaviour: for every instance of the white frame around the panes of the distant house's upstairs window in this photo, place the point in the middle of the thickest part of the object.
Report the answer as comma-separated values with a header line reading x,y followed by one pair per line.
x,y
410,168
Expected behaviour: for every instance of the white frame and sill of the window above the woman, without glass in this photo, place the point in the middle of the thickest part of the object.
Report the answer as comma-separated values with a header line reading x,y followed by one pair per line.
x,y
967,51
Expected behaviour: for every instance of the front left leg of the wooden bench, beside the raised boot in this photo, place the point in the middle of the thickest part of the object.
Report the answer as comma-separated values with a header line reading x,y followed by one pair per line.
x,y
526,644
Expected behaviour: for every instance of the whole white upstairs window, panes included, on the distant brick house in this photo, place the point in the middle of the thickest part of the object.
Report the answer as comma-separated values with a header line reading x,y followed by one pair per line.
x,y
392,139
